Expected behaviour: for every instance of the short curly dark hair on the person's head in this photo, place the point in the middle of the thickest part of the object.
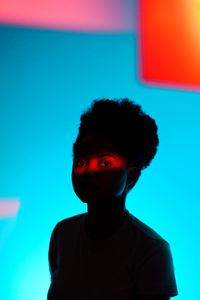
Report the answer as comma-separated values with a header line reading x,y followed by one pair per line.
x,y
122,121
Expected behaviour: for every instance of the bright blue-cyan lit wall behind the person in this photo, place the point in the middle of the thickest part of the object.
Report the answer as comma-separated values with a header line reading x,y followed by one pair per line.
x,y
47,79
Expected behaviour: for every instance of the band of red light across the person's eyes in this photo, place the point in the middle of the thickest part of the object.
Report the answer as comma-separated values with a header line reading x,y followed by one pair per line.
x,y
98,163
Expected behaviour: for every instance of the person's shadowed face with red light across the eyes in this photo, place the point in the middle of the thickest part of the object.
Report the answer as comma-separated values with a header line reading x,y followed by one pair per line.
x,y
99,171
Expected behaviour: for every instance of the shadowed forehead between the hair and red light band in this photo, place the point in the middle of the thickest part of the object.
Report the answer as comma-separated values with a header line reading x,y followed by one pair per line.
x,y
97,144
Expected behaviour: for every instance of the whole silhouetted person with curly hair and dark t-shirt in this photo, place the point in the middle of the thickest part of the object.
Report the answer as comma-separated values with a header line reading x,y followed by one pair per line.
x,y
107,253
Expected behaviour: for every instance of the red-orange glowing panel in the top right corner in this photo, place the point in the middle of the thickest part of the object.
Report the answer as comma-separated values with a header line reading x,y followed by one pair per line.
x,y
169,43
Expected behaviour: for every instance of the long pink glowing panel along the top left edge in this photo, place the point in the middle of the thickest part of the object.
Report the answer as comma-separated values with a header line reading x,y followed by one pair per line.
x,y
72,15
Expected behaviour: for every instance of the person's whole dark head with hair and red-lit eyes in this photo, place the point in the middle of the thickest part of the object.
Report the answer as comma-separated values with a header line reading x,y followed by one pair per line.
x,y
116,140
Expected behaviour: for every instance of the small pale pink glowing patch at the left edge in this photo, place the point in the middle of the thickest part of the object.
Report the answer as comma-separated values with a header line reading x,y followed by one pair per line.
x,y
9,207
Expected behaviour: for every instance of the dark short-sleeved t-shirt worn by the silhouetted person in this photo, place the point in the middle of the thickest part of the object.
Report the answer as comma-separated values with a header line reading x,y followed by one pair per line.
x,y
134,260
